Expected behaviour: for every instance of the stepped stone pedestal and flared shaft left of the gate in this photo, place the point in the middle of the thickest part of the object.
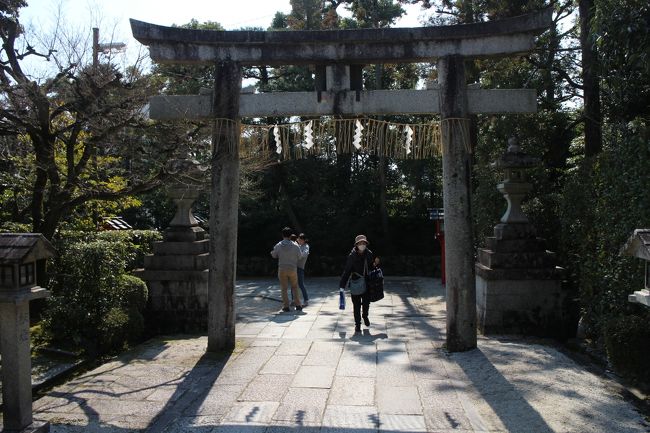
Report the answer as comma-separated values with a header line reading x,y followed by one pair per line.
x,y
177,272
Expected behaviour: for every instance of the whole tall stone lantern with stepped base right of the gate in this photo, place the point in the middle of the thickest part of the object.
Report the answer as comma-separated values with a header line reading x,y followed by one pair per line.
x,y
518,286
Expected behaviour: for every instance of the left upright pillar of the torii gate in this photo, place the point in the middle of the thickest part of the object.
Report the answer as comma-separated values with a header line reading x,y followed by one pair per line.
x,y
224,207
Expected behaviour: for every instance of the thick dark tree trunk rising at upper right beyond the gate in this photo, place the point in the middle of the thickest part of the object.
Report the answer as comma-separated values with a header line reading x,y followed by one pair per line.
x,y
590,80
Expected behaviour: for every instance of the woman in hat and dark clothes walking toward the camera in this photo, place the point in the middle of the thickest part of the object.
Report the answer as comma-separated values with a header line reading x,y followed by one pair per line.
x,y
357,265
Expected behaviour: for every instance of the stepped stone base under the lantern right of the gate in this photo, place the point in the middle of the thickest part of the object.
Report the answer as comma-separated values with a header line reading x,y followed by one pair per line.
x,y
518,286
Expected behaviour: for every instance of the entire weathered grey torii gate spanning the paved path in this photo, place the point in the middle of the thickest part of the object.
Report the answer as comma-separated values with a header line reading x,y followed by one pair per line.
x,y
338,57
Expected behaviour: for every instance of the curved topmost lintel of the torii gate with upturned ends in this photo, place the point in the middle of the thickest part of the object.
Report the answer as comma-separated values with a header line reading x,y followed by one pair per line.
x,y
359,46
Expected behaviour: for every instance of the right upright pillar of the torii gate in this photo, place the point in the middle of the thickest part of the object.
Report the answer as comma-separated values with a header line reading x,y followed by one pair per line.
x,y
456,175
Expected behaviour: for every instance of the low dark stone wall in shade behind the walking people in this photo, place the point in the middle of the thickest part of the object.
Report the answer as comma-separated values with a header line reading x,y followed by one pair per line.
x,y
319,266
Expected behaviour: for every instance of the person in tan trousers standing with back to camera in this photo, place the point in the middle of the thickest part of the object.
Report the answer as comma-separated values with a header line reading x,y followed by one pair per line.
x,y
288,254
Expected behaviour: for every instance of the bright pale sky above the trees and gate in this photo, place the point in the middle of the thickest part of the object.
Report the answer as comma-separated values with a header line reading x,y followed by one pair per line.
x,y
112,16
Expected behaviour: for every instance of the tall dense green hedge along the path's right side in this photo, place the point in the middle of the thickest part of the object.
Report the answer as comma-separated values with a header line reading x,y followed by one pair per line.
x,y
604,201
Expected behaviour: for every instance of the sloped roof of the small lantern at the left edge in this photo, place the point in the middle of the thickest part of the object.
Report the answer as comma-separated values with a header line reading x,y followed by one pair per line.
x,y
24,247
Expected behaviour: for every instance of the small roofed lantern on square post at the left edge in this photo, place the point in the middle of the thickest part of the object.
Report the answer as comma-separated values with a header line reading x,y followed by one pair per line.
x,y
18,256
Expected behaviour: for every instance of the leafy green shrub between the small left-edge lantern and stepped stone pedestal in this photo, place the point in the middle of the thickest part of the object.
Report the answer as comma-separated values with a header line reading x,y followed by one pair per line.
x,y
95,306
